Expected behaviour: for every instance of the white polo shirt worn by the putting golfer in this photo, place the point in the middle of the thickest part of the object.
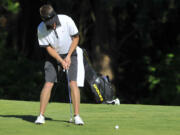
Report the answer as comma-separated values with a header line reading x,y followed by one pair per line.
x,y
65,32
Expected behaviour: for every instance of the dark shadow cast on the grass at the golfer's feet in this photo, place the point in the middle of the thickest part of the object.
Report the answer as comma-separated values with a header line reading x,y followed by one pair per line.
x,y
31,118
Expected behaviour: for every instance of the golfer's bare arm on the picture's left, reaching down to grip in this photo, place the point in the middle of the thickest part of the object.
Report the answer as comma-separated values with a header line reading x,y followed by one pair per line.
x,y
56,56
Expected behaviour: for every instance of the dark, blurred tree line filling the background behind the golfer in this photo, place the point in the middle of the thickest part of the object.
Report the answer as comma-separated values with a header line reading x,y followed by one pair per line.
x,y
135,42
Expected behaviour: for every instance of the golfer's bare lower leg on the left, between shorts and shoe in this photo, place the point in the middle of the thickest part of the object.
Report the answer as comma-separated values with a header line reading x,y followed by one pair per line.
x,y
45,96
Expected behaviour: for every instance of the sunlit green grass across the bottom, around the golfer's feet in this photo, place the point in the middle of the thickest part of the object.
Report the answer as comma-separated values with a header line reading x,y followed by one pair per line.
x,y
17,118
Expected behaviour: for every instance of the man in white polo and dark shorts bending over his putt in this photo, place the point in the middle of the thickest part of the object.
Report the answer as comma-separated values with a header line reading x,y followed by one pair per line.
x,y
59,35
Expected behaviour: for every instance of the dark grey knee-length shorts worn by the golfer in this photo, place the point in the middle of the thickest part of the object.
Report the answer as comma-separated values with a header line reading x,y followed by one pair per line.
x,y
52,67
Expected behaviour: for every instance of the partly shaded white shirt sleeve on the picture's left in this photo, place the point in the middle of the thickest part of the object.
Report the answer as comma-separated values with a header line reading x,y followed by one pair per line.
x,y
43,42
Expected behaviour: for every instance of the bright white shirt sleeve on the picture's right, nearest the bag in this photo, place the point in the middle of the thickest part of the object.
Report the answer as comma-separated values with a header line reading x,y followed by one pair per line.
x,y
72,27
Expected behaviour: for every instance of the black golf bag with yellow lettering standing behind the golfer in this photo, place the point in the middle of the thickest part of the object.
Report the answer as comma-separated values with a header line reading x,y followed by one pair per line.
x,y
100,85
